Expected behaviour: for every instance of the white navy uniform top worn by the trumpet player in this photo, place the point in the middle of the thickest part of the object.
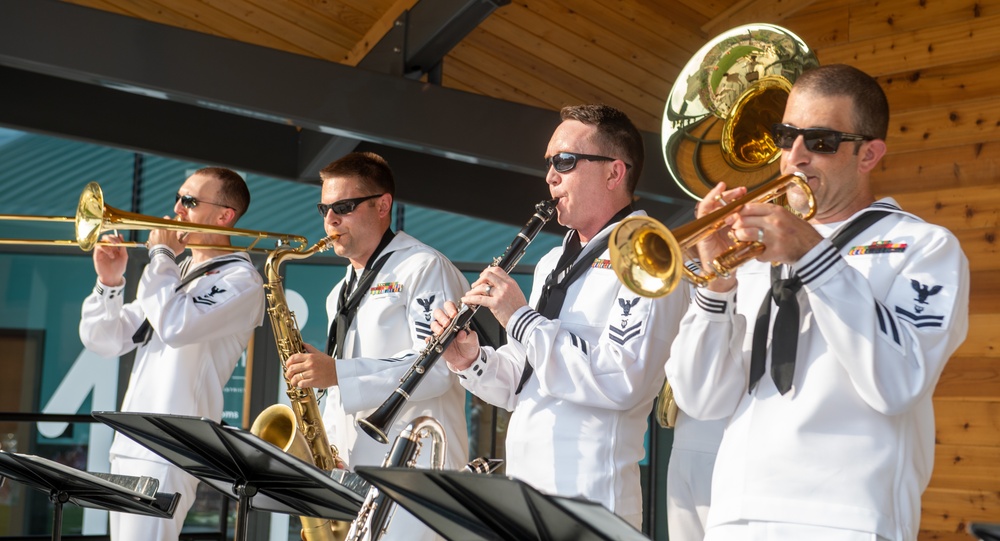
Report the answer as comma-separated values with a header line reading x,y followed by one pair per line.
x,y
851,446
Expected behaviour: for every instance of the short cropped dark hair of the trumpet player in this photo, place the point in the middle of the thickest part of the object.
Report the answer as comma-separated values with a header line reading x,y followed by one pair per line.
x,y
871,108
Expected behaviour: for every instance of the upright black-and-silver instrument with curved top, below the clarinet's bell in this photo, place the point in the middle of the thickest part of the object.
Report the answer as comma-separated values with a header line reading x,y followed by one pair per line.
x,y
378,509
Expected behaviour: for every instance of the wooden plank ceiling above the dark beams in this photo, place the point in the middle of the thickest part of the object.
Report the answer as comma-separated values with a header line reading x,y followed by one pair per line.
x,y
543,53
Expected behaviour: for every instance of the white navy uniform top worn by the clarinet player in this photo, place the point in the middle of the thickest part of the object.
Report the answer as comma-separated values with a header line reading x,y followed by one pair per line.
x,y
577,426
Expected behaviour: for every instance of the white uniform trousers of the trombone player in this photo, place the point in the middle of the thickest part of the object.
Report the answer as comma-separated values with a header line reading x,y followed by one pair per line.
x,y
131,527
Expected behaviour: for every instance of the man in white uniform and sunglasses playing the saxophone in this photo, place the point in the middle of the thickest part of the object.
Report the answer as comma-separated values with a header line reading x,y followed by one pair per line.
x,y
380,315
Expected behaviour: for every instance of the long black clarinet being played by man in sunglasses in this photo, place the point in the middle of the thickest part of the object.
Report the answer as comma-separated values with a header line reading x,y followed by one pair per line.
x,y
378,423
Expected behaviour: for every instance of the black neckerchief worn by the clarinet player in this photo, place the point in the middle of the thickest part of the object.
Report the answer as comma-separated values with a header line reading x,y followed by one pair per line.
x,y
564,274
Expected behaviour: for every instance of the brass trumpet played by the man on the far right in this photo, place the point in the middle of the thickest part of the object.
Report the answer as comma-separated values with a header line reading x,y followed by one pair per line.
x,y
650,259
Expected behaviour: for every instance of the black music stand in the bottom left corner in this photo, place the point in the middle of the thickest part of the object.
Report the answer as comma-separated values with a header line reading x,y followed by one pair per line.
x,y
66,484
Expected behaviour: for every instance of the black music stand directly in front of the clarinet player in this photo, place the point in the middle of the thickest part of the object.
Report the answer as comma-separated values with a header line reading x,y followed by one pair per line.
x,y
468,506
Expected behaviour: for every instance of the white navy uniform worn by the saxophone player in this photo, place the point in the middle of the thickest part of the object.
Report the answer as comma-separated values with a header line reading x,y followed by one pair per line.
x,y
385,337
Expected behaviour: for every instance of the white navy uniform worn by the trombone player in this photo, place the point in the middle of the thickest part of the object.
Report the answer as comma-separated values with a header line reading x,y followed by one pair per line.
x,y
199,334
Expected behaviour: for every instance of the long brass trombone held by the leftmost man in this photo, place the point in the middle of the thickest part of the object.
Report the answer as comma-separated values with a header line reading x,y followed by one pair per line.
x,y
93,218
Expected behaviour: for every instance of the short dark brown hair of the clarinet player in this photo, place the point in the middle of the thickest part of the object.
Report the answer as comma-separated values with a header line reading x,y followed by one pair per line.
x,y
616,133
